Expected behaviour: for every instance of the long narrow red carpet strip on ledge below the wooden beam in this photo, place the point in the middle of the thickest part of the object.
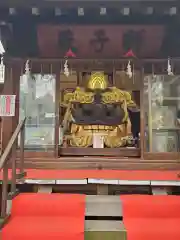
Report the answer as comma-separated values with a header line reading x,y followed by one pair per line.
x,y
105,174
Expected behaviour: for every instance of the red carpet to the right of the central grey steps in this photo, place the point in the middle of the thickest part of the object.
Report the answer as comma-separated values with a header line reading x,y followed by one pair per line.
x,y
151,217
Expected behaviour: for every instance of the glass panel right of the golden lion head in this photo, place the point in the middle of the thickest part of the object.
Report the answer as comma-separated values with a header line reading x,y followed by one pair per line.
x,y
162,113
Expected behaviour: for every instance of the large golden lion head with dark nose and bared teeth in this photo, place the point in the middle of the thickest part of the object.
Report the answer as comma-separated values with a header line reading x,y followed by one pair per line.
x,y
100,118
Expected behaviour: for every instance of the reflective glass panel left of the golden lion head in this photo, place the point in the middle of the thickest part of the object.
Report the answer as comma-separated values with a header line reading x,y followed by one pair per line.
x,y
37,103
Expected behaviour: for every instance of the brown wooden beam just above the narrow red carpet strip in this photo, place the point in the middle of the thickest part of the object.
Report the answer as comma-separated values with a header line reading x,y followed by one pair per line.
x,y
92,162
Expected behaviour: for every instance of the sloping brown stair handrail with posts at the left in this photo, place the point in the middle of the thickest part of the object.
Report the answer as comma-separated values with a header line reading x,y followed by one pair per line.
x,y
8,161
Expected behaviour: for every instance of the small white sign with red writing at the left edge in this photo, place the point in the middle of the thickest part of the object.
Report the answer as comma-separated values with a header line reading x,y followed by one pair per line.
x,y
7,105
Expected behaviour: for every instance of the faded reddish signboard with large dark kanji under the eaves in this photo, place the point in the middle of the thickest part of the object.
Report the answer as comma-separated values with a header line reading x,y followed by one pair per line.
x,y
100,41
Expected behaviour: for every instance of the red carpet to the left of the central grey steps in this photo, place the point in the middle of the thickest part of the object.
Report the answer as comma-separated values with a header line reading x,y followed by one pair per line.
x,y
46,216
